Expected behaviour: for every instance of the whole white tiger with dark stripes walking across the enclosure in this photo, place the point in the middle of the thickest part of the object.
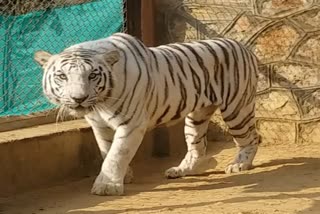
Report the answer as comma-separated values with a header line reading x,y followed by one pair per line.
x,y
118,82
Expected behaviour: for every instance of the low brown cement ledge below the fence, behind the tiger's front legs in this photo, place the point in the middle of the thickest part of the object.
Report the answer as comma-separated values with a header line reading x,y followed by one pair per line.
x,y
52,154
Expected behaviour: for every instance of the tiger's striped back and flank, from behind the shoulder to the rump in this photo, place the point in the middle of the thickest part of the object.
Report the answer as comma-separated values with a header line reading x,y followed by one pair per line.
x,y
190,76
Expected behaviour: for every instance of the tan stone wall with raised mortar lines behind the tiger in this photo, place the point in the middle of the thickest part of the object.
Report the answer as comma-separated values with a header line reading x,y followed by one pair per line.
x,y
284,34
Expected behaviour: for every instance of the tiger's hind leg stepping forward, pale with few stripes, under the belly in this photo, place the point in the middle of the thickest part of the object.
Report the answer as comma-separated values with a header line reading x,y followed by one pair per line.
x,y
196,126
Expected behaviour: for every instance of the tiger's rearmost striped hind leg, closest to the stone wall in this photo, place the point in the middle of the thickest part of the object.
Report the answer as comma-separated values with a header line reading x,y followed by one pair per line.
x,y
241,123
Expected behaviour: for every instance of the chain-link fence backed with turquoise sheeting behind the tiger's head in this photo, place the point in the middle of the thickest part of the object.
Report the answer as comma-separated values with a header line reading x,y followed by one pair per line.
x,y
52,25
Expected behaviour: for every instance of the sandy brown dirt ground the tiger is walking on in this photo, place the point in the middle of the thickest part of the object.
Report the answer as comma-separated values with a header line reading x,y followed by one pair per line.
x,y
286,179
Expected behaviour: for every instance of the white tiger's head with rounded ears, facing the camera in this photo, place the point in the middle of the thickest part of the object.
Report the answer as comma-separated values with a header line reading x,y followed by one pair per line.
x,y
77,79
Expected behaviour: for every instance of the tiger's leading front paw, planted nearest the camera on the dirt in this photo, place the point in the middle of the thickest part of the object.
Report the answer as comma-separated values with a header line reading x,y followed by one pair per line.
x,y
104,186
